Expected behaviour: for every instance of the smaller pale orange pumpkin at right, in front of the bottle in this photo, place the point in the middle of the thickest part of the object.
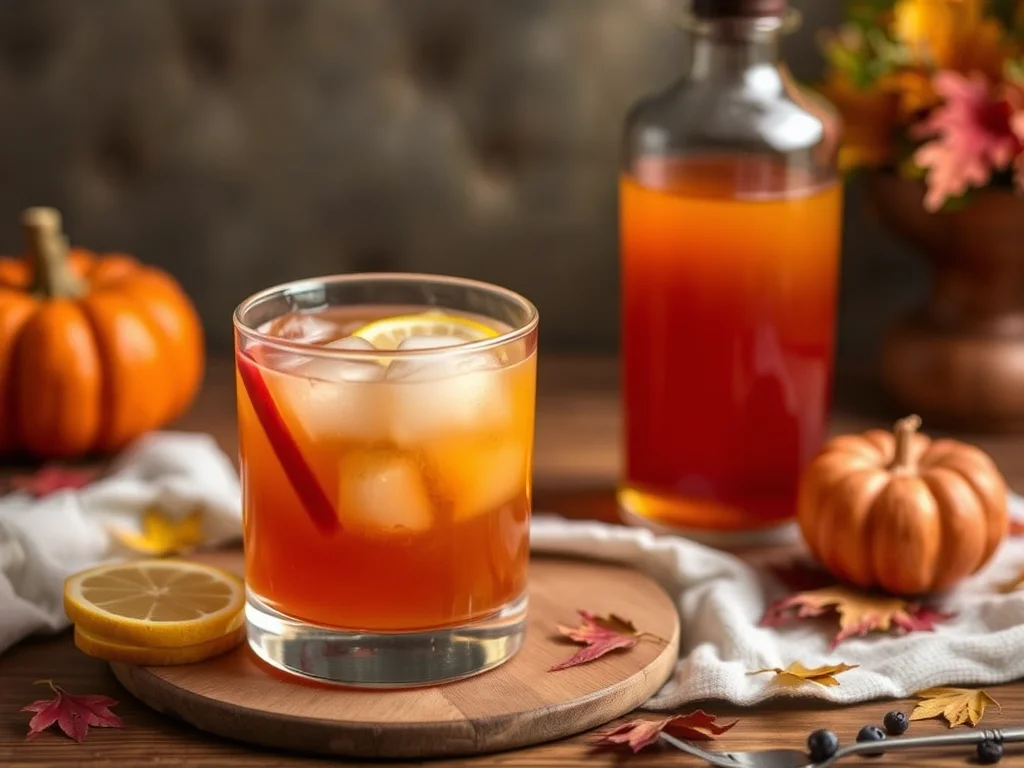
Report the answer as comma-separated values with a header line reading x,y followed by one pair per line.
x,y
901,511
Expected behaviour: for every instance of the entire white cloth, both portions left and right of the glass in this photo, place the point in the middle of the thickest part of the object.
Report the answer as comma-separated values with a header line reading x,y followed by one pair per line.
x,y
720,598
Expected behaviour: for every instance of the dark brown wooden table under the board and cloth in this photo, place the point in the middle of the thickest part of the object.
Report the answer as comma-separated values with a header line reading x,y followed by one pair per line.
x,y
577,462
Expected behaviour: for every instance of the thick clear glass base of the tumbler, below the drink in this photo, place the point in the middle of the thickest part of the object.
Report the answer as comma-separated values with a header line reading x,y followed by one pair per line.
x,y
391,660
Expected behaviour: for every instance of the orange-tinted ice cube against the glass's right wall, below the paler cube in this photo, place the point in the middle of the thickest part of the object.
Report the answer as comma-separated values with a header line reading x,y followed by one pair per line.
x,y
481,476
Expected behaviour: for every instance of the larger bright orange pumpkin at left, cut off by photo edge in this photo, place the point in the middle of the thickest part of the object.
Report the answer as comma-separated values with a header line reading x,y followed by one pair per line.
x,y
95,350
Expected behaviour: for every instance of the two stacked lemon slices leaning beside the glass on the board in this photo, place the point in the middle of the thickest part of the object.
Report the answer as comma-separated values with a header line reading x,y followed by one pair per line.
x,y
155,604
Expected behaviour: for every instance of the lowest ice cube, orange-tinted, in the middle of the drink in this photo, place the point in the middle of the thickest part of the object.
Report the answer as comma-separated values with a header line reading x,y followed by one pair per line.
x,y
383,491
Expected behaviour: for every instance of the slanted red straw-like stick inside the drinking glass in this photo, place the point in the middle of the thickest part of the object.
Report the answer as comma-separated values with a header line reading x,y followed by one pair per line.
x,y
304,481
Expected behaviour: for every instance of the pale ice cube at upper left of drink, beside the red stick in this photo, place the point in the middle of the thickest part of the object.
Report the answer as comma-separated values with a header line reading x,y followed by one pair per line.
x,y
335,400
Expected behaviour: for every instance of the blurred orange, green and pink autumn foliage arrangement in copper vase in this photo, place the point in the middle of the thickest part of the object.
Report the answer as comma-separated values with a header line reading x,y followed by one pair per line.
x,y
933,91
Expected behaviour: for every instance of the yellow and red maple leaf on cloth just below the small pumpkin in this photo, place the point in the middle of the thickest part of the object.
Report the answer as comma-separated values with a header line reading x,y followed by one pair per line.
x,y
859,613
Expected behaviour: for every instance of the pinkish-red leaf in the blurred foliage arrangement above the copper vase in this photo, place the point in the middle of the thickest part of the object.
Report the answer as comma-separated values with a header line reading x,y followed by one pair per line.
x,y
972,138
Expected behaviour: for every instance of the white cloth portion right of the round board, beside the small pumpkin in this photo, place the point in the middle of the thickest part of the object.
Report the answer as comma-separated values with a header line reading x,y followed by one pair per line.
x,y
721,601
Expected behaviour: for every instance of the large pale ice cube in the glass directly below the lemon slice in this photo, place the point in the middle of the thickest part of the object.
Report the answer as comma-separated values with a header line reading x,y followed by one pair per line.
x,y
439,396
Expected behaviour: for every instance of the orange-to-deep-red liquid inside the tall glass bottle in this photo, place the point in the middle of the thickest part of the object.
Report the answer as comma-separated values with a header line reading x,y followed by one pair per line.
x,y
730,305
